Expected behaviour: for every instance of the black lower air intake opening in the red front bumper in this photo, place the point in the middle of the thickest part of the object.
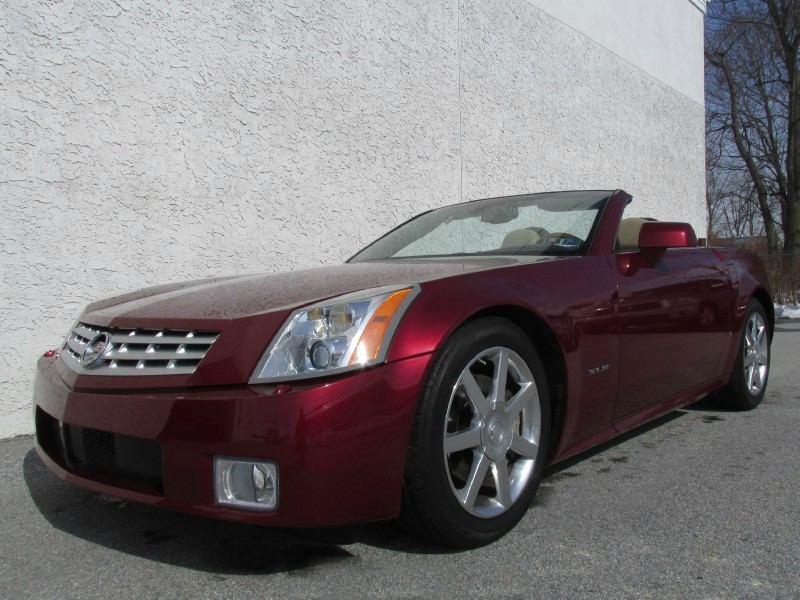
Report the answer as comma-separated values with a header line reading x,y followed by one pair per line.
x,y
111,458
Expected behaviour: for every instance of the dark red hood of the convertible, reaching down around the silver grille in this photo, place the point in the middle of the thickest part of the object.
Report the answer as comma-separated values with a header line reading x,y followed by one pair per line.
x,y
247,311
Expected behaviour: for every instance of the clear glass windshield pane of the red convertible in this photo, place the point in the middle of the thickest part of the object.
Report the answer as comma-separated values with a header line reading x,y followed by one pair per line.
x,y
558,223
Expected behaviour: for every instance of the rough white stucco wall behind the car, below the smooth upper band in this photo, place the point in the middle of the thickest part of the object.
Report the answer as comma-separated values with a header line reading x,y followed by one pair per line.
x,y
146,142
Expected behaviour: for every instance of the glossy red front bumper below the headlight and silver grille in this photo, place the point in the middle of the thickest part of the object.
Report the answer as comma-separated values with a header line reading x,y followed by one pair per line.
x,y
340,445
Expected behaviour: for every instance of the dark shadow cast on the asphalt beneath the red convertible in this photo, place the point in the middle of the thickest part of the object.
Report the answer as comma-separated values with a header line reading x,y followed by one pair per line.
x,y
225,548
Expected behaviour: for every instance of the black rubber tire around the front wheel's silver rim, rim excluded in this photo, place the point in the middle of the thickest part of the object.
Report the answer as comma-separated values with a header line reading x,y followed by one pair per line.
x,y
448,517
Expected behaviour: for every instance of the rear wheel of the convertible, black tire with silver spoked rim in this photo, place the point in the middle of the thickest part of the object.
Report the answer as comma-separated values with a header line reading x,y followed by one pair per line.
x,y
748,381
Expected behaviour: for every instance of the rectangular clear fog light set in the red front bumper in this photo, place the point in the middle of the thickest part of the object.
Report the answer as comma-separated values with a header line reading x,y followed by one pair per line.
x,y
246,483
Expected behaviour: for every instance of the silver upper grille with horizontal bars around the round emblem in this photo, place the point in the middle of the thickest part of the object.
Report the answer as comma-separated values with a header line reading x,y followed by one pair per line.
x,y
139,351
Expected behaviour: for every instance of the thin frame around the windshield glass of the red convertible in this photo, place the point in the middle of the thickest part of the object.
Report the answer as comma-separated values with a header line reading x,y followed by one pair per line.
x,y
584,251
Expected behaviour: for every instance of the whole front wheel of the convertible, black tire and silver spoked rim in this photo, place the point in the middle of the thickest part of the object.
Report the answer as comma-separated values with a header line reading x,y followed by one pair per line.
x,y
476,457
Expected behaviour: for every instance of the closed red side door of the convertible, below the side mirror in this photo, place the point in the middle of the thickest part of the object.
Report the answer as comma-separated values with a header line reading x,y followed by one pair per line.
x,y
673,318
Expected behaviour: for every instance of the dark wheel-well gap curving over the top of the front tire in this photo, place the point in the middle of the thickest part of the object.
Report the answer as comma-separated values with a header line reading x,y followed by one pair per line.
x,y
541,335
